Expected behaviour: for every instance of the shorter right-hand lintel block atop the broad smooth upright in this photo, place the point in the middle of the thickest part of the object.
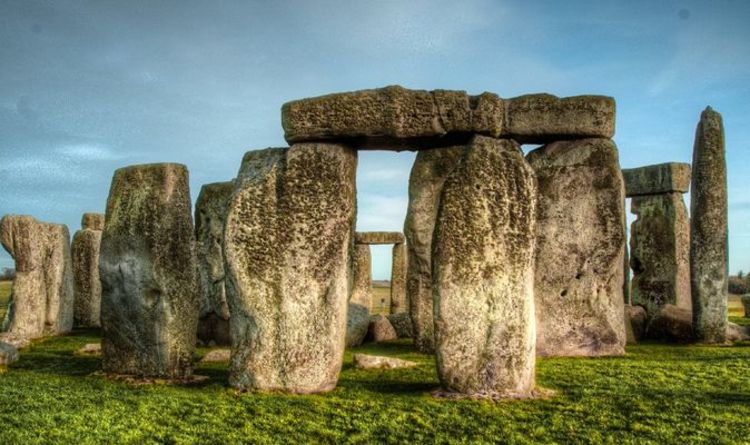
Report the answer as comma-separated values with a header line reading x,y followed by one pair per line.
x,y
542,118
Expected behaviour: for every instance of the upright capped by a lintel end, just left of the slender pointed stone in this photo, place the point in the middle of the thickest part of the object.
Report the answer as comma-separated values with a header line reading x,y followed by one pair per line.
x,y
660,236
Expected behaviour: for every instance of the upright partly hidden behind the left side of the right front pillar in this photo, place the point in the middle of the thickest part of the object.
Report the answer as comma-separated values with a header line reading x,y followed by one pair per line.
x,y
431,168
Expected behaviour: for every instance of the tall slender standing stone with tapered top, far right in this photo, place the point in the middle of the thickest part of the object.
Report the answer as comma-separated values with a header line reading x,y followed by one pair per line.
x,y
708,230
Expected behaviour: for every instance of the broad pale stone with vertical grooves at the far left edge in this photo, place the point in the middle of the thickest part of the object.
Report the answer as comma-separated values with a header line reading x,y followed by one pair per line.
x,y
42,296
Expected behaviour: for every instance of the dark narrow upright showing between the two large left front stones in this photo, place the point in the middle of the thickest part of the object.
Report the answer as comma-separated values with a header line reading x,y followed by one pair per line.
x,y
210,216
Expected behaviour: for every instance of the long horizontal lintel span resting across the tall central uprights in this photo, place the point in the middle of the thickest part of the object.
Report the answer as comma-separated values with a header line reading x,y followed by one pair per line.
x,y
397,118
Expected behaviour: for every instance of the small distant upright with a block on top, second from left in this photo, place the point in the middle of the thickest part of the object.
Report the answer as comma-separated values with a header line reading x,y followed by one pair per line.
x,y
85,253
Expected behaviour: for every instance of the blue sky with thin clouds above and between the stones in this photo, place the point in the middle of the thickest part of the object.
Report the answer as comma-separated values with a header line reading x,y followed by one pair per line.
x,y
87,87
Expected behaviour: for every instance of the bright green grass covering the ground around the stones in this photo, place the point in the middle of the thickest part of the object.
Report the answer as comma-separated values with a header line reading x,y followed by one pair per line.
x,y
656,394
